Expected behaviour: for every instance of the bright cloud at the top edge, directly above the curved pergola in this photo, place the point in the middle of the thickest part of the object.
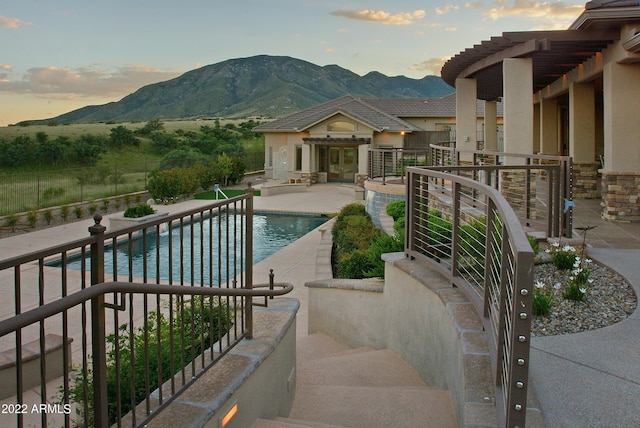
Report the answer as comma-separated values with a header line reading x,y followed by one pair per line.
x,y
556,14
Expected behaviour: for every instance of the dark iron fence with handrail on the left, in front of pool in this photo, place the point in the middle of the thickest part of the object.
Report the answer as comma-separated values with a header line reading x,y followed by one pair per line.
x,y
107,334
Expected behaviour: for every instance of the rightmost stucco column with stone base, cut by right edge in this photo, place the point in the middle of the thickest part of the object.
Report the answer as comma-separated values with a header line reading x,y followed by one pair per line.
x,y
621,174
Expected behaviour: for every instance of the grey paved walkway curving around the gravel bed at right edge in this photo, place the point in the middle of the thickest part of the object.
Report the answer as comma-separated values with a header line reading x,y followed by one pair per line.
x,y
592,379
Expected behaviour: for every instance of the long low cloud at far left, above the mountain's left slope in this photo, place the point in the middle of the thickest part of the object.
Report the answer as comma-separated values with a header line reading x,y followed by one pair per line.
x,y
84,82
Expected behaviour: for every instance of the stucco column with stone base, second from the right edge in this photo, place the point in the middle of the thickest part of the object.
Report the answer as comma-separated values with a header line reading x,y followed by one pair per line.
x,y
582,140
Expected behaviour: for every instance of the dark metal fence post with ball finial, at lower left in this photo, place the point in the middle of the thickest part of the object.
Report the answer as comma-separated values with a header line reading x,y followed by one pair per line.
x,y
98,321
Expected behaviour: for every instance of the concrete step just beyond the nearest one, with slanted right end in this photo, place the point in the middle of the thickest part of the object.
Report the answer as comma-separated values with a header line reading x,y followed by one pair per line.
x,y
372,368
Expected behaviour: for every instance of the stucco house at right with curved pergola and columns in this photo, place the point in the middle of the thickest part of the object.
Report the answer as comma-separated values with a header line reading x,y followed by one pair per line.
x,y
573,92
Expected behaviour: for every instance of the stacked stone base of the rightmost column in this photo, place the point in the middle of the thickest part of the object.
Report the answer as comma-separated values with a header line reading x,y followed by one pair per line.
x,y
621,196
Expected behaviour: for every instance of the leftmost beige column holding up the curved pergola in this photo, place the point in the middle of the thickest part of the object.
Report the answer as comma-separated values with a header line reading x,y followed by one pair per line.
x,y
466,113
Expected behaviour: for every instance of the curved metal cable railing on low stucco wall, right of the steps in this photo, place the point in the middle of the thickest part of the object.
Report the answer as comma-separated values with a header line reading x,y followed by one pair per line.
x,y
468,231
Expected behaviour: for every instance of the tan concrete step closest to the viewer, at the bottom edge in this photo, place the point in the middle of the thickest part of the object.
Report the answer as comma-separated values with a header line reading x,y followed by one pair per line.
x,y
374,406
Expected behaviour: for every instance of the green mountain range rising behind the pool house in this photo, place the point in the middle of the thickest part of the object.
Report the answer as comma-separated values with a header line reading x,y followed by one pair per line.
x,y
269,86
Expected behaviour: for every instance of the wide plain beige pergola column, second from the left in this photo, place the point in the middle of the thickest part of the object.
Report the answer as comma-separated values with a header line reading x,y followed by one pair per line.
x,y
518,105
